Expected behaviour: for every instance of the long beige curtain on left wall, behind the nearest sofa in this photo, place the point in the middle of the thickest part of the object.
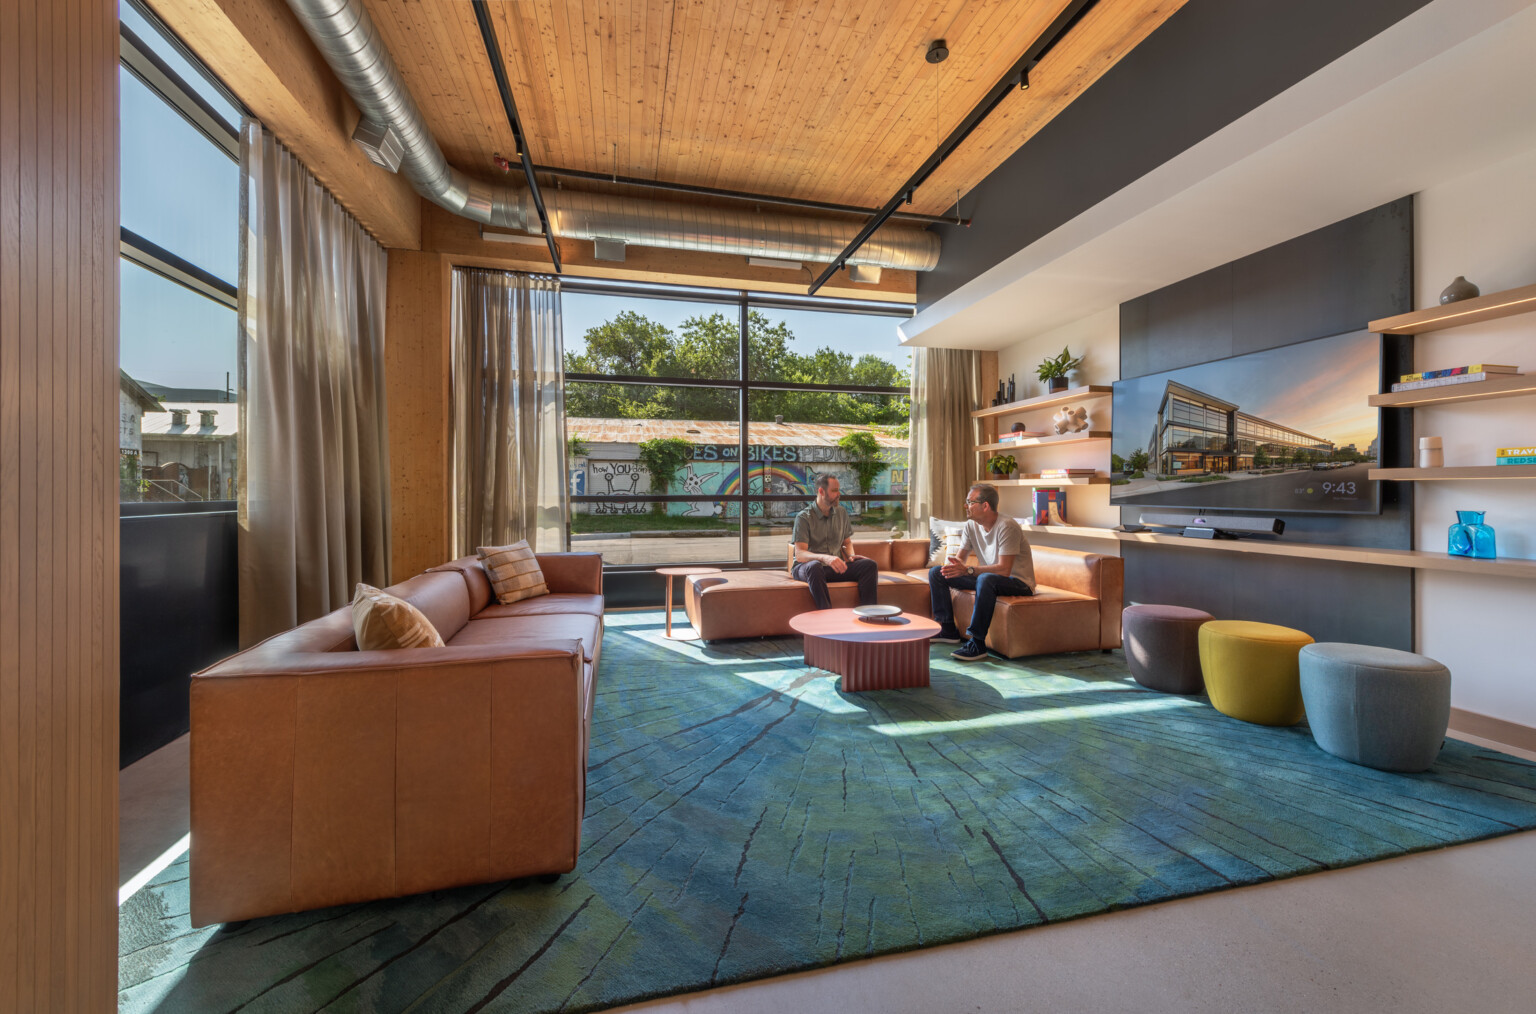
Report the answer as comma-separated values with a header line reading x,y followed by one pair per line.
x,y
314,451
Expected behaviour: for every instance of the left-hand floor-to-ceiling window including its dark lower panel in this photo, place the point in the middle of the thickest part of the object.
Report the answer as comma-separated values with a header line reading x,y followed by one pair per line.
x,y
179,382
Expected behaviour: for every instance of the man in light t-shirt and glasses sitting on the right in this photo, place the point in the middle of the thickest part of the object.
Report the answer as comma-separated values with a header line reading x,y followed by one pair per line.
x,y
1004,566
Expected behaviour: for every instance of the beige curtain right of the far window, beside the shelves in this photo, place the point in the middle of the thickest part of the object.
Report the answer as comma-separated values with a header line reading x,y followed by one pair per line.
x,y
947,388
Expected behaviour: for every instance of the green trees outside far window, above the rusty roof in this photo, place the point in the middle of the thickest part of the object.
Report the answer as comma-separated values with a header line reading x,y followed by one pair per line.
x,y
707,348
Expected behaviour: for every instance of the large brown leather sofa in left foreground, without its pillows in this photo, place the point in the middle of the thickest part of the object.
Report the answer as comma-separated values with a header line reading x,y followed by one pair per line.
x,y
323,775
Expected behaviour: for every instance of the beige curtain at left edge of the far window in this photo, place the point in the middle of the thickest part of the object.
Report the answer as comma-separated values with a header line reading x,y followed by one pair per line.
x,y
509,411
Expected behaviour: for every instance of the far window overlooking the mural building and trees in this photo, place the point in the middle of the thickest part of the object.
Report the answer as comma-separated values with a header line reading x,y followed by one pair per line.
x,y
678,456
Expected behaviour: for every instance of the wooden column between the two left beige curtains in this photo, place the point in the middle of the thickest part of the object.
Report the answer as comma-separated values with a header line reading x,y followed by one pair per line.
x,y
417,357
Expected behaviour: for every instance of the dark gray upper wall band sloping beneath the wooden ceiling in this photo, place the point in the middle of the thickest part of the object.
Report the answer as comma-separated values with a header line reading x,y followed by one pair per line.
x,y
1207,67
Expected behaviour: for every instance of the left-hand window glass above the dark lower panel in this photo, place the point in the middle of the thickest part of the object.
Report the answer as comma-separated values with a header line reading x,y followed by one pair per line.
x,y
180,245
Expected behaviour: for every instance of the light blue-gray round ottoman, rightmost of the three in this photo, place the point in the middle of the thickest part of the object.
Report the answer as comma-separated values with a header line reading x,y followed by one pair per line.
x,y
1380,707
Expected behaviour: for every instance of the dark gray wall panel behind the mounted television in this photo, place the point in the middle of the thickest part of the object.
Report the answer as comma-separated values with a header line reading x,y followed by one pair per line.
x,y
1328,282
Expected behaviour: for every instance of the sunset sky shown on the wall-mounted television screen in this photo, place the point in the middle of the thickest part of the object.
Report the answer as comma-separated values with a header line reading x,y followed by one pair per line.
x,y
1319,388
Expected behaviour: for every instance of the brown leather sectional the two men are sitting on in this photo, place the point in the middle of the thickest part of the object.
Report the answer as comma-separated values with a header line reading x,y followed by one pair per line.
x,y
1076,606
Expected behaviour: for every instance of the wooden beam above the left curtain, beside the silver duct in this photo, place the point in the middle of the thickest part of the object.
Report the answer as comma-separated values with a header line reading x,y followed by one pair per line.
x,y
263,56
